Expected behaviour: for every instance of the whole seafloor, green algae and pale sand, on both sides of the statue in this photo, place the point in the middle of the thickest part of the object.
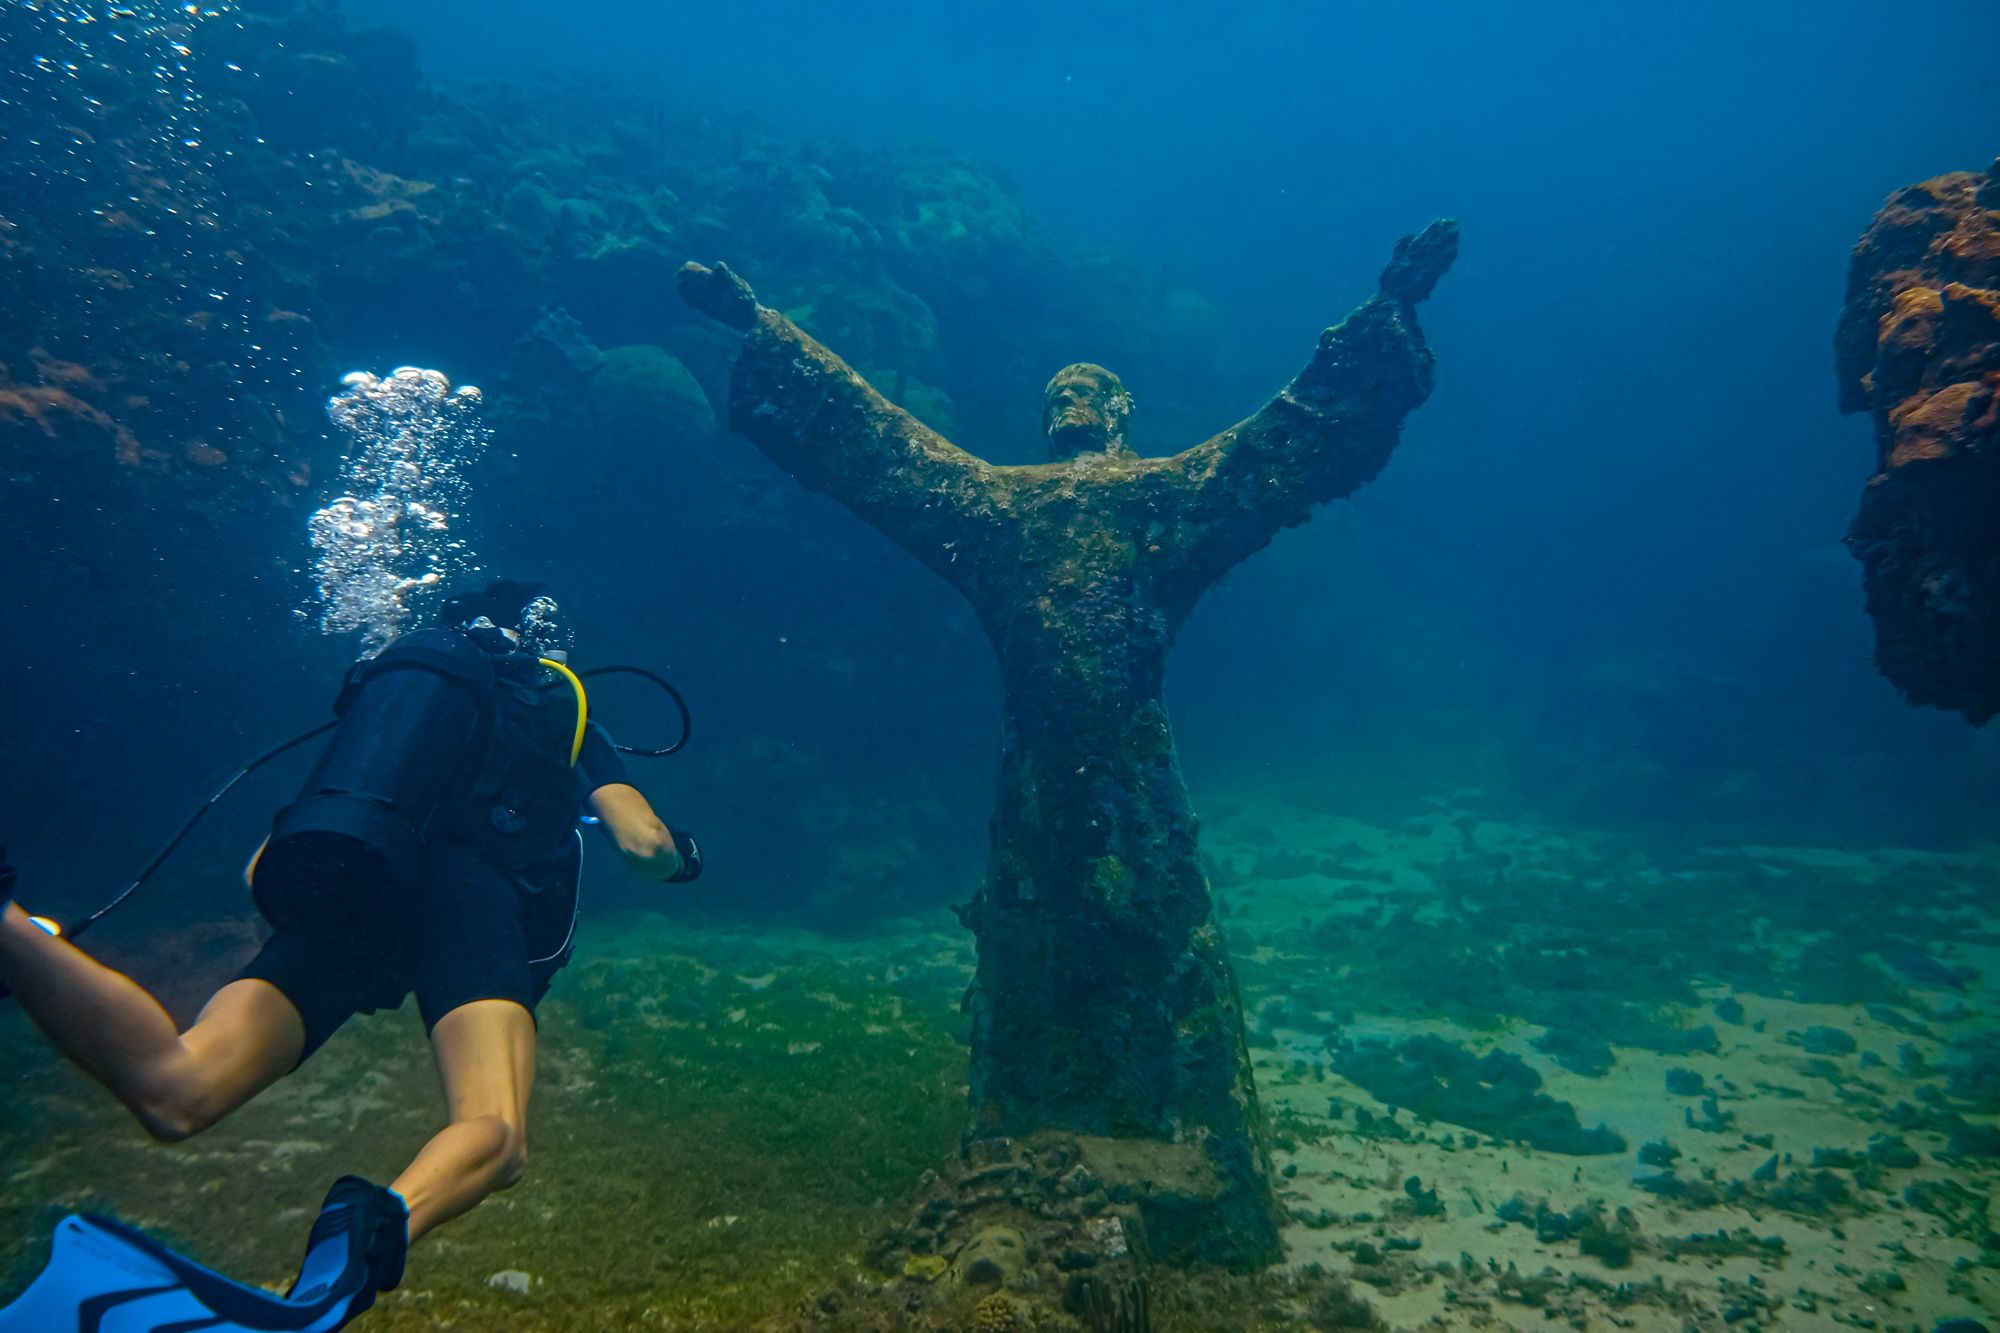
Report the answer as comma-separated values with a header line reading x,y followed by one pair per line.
x,y
1799,1064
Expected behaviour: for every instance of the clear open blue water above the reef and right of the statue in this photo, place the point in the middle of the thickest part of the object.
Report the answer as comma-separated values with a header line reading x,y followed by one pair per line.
x,y
1605,567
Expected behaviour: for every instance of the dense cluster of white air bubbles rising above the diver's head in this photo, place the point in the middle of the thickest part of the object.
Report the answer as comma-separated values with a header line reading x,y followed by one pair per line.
x,y
389,537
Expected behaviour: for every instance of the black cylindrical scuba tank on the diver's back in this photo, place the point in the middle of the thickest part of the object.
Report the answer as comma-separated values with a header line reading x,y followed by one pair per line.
x,y
413,726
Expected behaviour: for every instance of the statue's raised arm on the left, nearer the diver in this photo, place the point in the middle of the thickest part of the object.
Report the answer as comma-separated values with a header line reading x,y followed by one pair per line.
x,y
825,425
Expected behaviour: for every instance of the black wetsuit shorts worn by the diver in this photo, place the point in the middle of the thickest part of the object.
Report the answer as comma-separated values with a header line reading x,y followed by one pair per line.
x,y
471,934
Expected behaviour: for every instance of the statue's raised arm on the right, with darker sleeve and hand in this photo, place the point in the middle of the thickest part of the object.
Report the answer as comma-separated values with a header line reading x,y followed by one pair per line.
x,y
1329,431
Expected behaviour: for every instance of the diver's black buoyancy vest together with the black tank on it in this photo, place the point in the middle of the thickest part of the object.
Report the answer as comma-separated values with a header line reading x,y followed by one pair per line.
x,y
439,738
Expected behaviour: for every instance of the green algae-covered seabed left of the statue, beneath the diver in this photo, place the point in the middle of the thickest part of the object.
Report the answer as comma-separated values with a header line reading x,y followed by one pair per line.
x,y
715,1136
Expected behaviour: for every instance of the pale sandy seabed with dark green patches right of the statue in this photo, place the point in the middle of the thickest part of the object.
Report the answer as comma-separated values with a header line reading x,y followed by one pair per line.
x,y
1787,1244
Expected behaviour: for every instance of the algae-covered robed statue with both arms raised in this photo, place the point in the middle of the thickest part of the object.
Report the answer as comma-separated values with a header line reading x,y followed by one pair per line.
x,y
1105,1008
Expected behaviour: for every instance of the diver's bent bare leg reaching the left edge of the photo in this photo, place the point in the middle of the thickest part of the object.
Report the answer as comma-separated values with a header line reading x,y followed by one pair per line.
x,y
177,1084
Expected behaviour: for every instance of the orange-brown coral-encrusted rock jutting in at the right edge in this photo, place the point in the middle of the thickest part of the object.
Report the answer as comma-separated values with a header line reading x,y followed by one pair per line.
x,y
1919,347
